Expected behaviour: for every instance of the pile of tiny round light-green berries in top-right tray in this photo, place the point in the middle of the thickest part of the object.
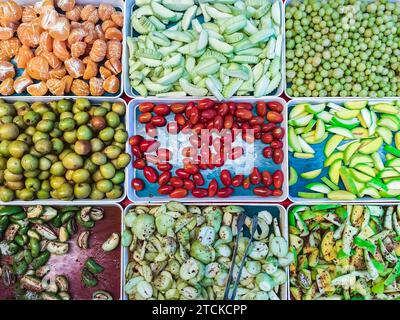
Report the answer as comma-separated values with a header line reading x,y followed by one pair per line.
x,y
342,48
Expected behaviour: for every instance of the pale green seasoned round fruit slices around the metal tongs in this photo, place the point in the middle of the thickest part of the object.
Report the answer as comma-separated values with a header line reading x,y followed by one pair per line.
x,y
179,252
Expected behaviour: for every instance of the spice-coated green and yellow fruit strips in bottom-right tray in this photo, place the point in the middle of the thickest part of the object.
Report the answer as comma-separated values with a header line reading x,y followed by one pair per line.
x,y
345,252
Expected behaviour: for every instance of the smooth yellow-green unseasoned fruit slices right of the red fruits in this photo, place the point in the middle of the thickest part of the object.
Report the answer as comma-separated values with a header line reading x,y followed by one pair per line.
x,y
361,148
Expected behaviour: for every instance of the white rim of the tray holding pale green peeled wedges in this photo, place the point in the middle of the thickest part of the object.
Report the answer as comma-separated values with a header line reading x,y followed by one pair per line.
x,y
129,7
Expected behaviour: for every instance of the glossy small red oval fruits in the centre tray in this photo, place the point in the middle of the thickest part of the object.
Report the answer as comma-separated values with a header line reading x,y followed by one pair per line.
x,y
225,122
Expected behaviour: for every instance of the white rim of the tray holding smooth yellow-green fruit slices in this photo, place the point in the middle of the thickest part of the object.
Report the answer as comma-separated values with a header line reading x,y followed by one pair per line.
x,y
339,101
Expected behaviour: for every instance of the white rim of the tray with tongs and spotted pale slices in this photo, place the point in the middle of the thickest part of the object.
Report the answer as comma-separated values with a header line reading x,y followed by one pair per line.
x,y
283,222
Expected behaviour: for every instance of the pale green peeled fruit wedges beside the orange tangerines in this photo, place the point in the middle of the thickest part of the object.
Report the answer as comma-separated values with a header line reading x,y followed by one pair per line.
x,y
219,48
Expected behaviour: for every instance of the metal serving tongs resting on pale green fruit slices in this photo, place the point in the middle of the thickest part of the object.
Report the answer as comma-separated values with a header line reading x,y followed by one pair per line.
x,y
240,226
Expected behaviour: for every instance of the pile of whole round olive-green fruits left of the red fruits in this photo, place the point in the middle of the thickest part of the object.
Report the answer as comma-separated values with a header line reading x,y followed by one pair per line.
x,y
63,149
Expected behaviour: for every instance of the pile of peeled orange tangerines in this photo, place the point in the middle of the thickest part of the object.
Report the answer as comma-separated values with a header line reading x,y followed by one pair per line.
x,y
61,47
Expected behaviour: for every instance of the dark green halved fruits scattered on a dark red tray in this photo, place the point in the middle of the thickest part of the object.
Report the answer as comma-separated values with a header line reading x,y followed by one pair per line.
x,y
36,241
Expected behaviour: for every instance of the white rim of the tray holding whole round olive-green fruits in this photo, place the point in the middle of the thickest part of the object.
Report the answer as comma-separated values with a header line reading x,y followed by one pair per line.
x,y
53,202
